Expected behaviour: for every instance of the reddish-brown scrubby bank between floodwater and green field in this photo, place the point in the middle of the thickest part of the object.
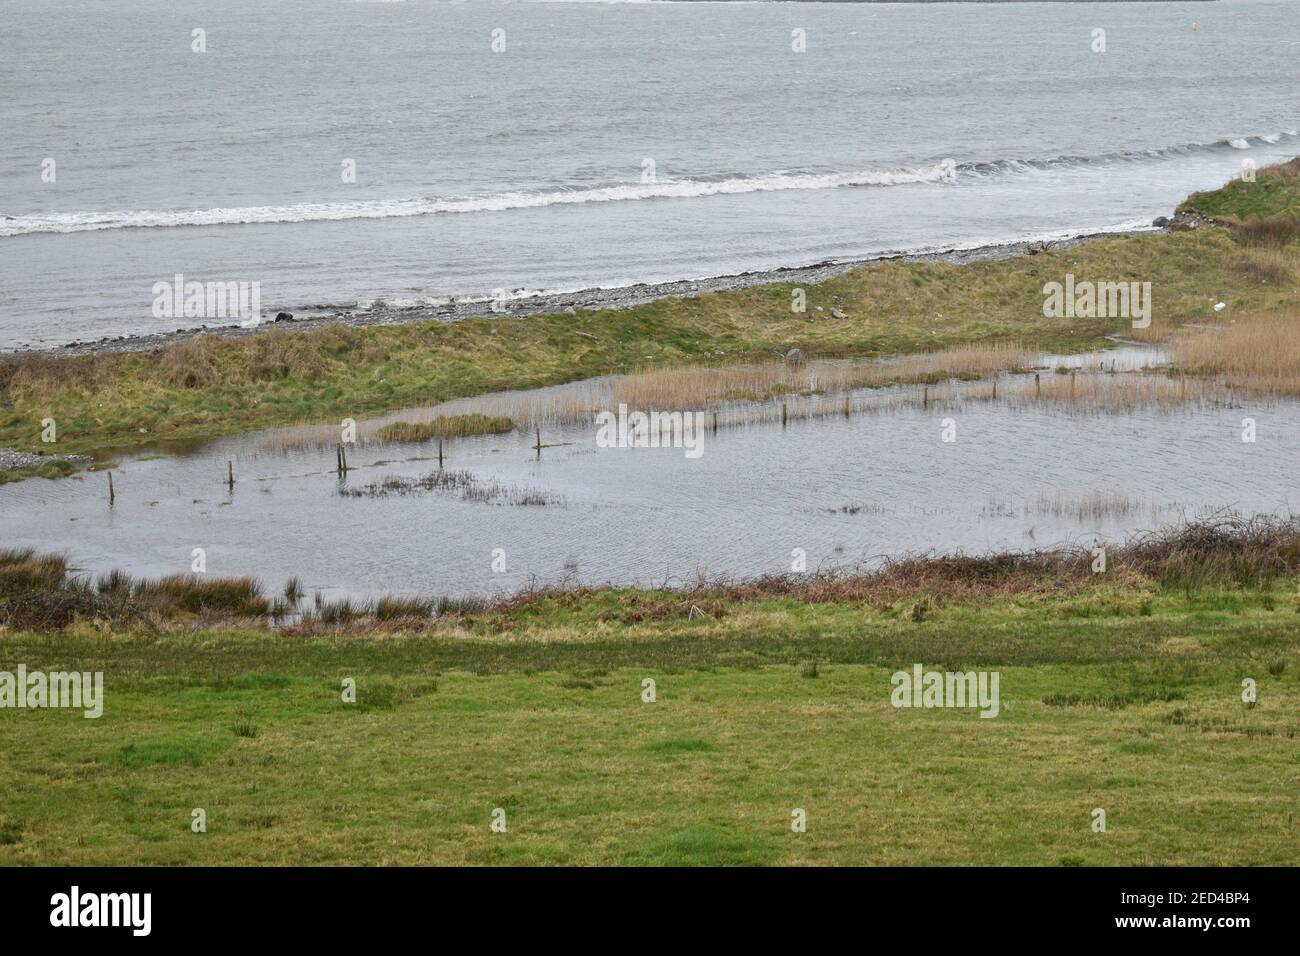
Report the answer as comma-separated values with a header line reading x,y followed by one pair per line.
x,y
41,592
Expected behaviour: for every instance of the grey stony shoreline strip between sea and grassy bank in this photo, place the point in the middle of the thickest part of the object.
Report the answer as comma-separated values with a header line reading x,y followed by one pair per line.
x,y
595,299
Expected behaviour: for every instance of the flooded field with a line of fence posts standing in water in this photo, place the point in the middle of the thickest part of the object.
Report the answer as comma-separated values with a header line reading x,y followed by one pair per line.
x,y
1021,471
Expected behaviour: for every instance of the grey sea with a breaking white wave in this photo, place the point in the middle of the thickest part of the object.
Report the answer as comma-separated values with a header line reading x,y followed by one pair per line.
x,y
605,144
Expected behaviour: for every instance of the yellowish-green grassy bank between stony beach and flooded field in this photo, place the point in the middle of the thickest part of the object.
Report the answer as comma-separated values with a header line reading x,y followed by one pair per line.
x,y
213,386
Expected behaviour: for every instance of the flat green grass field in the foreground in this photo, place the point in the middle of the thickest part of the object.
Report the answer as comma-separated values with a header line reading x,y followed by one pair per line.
x,y
1121,699
